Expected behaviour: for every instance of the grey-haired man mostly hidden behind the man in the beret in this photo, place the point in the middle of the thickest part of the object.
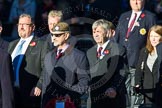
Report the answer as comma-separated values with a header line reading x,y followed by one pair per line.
x,y
54,17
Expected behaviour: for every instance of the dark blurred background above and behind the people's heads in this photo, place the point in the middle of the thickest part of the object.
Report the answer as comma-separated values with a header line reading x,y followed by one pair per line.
x,y
80,14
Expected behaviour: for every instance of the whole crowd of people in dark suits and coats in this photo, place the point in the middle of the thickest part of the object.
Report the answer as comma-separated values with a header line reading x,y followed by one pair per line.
x,y
49,71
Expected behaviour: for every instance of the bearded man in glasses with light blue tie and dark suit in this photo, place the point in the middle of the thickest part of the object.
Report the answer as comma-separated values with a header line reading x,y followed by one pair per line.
x,y
27,56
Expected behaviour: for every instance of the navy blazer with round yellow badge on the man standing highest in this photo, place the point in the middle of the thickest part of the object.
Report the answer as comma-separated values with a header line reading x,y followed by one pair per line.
x,y
136,40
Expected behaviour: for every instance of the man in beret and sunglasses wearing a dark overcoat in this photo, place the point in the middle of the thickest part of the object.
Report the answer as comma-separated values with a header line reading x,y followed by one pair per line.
x,y
65,73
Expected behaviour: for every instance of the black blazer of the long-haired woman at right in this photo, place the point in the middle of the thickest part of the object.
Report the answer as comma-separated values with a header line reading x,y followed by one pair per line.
x,y
143,74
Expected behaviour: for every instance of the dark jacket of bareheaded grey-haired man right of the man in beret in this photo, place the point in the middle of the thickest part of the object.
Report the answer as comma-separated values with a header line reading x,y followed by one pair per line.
x,y
108,72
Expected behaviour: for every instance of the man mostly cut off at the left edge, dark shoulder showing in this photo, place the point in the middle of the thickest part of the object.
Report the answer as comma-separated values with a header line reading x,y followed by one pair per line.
x,y
3,44
